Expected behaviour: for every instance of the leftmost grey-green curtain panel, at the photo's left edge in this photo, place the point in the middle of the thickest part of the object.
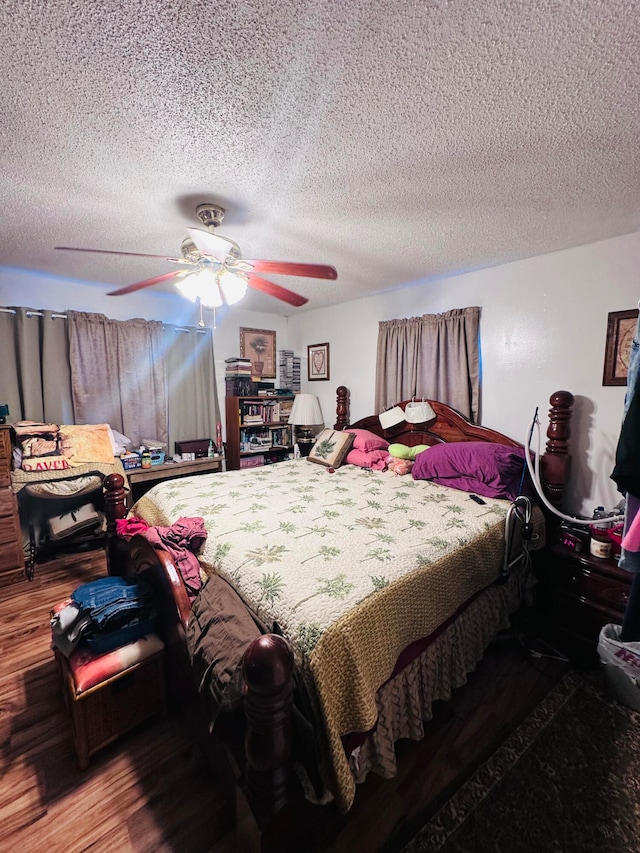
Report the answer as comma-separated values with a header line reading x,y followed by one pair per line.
x,y
36,377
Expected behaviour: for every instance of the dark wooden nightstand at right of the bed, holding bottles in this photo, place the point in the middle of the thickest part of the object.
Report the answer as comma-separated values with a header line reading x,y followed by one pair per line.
x,y
577,594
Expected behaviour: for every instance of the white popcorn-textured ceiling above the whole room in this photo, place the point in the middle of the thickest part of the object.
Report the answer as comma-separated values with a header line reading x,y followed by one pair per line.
x,y
397,140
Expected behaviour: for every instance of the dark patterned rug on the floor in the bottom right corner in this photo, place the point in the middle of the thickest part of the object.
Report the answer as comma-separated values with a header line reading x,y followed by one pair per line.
x,y
566,781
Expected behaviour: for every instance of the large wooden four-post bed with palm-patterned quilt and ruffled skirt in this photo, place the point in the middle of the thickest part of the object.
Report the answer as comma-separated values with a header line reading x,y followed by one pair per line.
x,y
365,597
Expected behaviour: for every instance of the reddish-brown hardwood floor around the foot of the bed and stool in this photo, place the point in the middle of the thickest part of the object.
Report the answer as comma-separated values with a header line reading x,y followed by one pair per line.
x,y
150,791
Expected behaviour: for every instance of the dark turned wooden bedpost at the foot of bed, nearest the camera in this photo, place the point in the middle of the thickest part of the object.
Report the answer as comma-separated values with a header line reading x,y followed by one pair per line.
x,y
268,670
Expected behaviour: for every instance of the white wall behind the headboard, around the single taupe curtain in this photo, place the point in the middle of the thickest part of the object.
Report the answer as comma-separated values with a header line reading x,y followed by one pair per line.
x,y
543,328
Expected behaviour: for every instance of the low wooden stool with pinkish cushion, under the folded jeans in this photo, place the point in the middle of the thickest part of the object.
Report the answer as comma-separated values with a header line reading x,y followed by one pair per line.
x,y
107,695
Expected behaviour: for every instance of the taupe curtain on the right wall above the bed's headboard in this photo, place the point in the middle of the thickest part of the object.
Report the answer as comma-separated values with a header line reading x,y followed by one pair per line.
x,y
435,356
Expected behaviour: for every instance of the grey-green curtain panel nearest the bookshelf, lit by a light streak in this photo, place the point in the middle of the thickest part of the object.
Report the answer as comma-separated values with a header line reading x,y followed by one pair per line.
x,y
191,384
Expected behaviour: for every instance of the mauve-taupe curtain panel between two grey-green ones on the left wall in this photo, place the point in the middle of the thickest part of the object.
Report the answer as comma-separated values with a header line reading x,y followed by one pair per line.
x,y
117,374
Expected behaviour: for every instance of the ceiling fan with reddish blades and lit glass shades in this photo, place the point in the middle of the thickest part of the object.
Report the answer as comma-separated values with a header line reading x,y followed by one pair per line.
x,y
215,271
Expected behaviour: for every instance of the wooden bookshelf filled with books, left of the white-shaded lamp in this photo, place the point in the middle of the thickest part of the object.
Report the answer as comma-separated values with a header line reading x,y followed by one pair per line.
x,y
258,432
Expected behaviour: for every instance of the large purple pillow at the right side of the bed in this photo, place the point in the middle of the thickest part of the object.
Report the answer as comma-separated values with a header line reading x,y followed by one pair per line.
x,y
490,470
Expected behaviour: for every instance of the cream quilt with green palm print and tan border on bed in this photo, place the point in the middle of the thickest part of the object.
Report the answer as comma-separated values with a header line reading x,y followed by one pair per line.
x,y
353,566
